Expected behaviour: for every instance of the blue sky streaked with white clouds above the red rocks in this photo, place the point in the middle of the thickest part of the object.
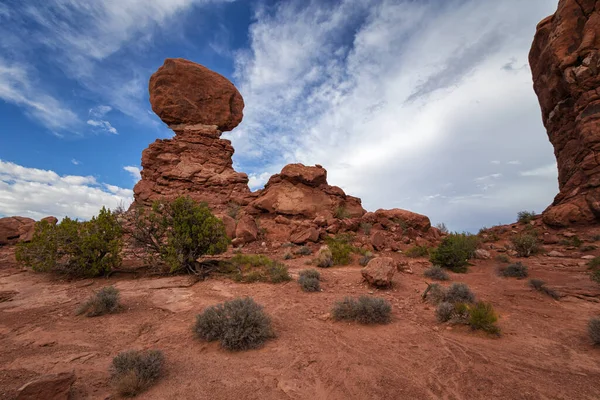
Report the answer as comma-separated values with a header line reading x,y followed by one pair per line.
x,y
423,105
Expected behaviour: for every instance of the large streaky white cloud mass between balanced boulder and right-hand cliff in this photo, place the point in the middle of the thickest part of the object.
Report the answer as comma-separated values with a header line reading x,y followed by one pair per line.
x,y
414,97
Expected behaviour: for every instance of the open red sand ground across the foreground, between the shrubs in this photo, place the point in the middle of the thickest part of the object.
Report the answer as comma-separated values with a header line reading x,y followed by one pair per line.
x,y
544,351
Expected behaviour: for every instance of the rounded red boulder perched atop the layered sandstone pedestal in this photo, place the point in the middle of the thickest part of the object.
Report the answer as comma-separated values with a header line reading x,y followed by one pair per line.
x,y
185,93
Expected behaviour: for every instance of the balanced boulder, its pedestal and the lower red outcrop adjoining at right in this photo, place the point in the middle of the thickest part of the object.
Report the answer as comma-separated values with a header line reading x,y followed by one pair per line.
x,y
296,205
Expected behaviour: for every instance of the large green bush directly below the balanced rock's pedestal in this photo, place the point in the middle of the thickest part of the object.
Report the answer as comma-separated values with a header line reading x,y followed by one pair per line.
x,y
175,234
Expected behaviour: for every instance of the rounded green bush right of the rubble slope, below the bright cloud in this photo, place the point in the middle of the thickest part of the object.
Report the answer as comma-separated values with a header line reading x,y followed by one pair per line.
x,y
455,251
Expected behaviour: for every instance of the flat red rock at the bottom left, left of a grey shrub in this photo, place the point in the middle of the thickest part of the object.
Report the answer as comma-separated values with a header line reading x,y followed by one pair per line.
x,y
48,387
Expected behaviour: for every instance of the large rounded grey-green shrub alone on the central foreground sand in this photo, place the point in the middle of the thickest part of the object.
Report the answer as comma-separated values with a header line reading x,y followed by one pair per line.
x,y
239,324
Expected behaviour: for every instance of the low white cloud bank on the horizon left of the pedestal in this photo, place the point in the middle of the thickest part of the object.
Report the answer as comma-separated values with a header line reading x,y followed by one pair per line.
x,y
37,193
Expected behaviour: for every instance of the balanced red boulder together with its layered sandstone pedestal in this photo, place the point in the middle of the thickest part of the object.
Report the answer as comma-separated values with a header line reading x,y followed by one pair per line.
x,y
197,104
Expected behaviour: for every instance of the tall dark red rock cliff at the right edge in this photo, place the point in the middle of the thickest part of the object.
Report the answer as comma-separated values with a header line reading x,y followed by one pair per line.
x,y
565,61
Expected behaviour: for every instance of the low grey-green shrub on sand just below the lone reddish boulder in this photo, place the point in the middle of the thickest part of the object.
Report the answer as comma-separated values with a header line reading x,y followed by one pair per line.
x,y
365,310
